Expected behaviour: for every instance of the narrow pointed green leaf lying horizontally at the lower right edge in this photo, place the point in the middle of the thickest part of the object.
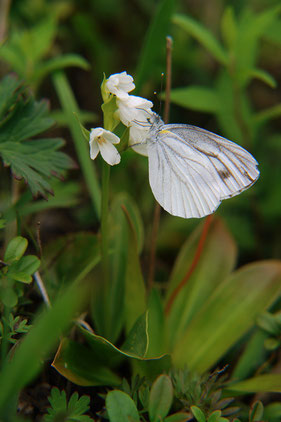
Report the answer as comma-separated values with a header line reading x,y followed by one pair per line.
x,y
267,383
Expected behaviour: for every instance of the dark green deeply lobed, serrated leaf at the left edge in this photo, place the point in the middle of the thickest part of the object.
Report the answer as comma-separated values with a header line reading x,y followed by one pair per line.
x,y
34,160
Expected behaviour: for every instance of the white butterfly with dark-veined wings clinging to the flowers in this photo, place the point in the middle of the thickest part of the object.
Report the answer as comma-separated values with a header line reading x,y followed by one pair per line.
x,y
192,170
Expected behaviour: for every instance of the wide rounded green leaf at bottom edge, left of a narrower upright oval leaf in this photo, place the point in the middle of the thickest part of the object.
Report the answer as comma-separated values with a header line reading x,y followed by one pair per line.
x,y
120,407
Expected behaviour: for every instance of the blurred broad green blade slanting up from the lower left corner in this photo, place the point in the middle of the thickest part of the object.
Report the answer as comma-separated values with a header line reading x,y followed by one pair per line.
x,y
29,355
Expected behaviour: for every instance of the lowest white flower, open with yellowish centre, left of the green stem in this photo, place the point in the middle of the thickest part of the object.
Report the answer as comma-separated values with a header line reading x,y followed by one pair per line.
x,y
102,140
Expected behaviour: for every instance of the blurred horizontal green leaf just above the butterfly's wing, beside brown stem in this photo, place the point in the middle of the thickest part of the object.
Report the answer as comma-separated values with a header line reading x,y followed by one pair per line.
x,y
196,98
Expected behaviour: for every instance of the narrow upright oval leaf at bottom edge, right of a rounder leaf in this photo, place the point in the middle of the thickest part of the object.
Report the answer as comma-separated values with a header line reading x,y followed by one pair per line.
x,y
160,398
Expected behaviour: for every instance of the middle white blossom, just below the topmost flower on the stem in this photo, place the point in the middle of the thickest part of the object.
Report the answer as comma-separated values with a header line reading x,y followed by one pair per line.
x,y
134,110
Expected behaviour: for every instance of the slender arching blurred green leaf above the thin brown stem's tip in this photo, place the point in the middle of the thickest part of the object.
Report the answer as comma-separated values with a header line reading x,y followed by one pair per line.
x,y
202,35
